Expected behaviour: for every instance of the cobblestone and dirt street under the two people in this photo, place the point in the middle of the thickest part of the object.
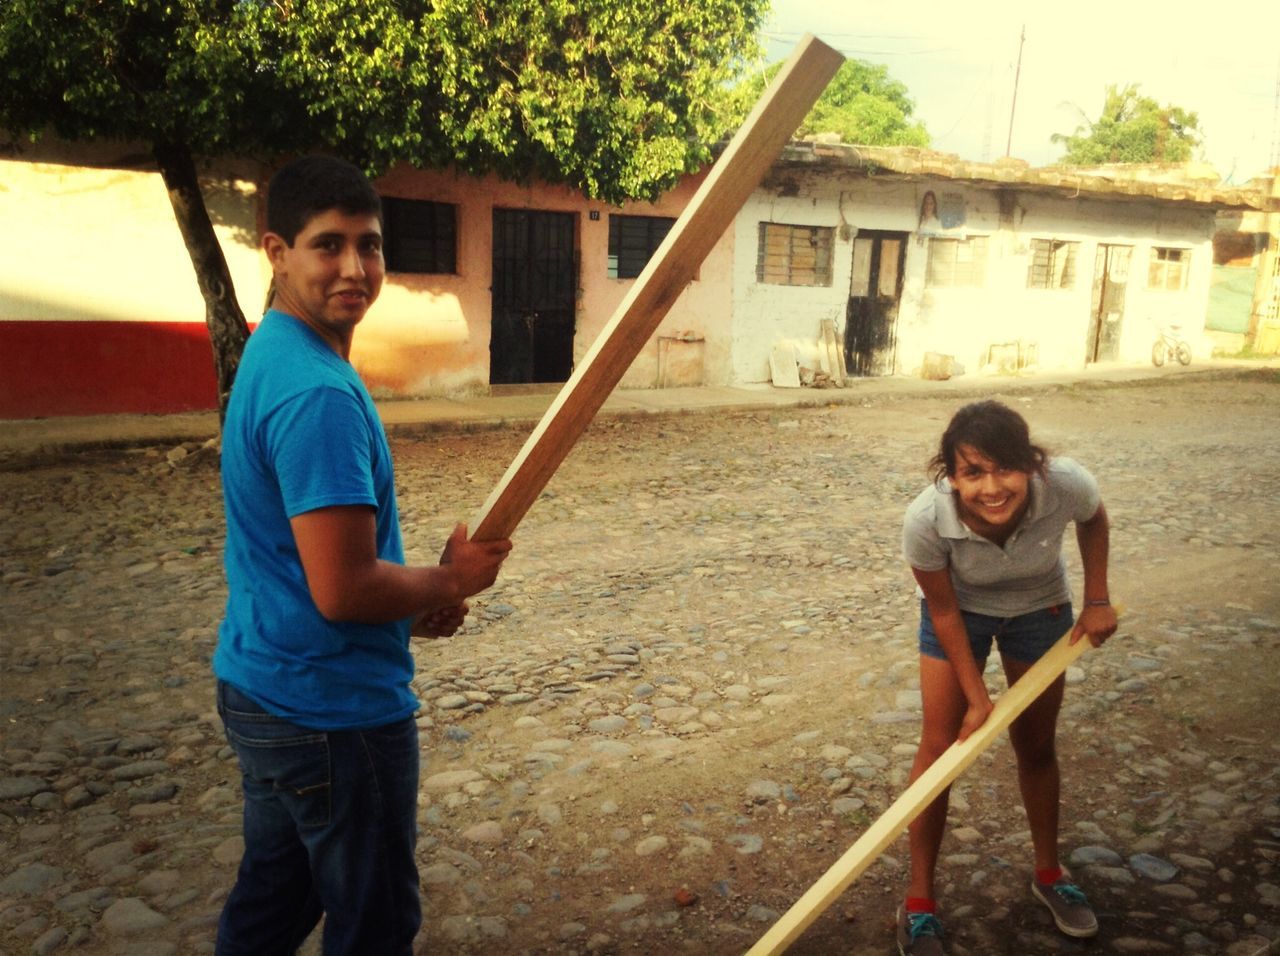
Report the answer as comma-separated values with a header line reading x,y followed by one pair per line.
x,y
689,693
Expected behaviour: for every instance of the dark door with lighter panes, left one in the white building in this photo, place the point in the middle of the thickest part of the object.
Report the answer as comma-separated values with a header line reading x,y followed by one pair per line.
x,y
875,291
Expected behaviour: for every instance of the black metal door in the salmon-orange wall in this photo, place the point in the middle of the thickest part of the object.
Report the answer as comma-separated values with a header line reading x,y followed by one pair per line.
x,y
534,298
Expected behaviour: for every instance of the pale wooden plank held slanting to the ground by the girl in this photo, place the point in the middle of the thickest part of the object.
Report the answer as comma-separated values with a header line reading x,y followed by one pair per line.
x,y
915,799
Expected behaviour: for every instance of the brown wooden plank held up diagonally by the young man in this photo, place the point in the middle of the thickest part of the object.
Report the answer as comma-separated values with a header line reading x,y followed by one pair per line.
x,y
712,211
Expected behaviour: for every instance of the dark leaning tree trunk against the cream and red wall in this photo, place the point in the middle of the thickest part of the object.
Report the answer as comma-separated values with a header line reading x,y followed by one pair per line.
x,y
228,332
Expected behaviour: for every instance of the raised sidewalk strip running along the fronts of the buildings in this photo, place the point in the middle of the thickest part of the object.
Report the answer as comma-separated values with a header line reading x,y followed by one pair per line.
x,y
509,405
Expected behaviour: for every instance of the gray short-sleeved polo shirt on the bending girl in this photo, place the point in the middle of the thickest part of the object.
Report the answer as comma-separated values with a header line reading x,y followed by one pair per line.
x,y
1025,575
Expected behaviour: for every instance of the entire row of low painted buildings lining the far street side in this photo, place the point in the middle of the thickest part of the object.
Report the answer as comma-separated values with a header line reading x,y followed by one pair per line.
x,y
894,259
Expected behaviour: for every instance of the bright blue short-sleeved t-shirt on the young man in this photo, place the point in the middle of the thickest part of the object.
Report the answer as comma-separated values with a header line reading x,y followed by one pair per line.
x,y
301,434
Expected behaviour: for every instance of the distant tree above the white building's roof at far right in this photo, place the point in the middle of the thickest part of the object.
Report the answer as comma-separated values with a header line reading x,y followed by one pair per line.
x,y
1132,129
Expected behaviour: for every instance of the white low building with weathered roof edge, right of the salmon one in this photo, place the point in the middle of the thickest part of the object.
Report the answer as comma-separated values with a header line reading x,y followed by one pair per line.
x,y
913,255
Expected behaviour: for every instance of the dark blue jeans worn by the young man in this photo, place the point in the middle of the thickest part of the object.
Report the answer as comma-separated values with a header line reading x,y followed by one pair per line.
x,y
330,829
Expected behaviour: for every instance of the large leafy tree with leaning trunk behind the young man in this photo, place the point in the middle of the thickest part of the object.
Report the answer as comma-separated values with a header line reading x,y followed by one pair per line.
x,y
615,98
